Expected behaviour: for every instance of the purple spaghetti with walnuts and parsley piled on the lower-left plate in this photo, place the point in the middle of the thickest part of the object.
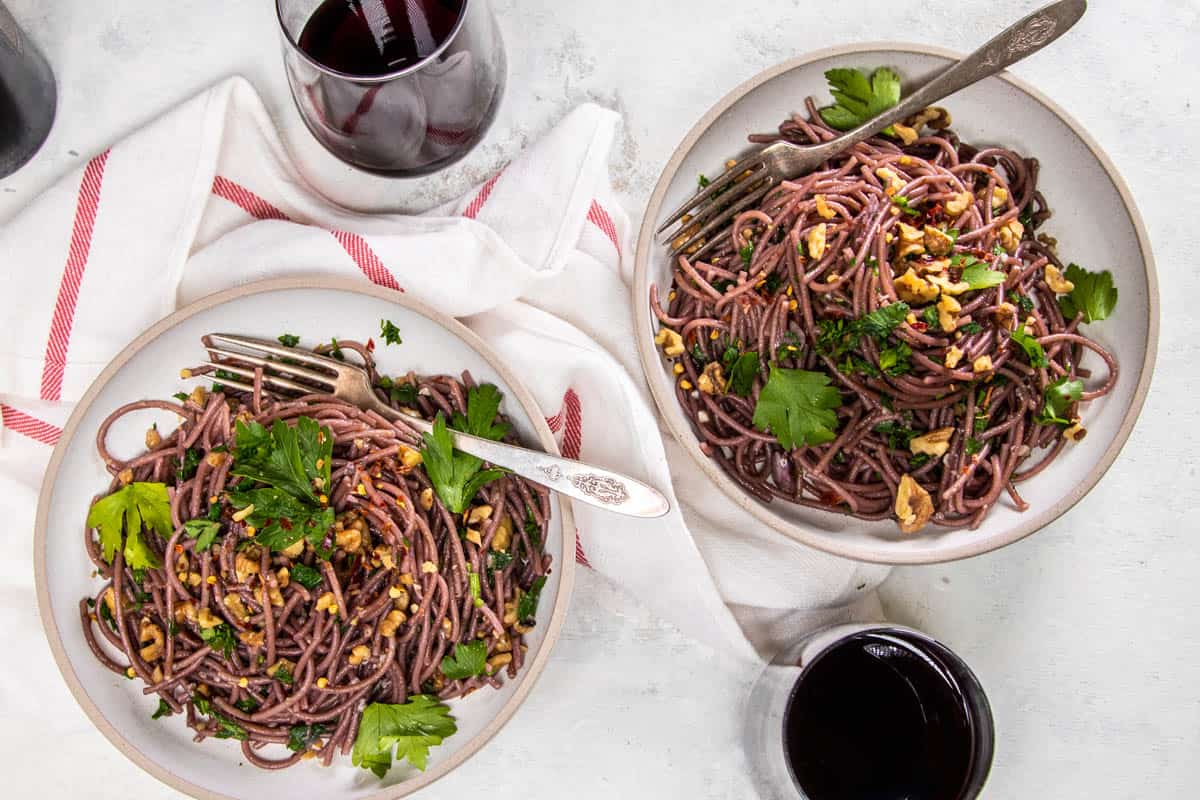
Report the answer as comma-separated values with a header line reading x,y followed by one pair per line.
x,y
295,563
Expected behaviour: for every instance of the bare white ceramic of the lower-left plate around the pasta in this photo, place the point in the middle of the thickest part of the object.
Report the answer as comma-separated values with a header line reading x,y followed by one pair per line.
x,y
149,369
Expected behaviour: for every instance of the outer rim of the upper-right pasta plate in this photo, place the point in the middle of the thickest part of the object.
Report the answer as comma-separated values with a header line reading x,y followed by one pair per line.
x,y
881,552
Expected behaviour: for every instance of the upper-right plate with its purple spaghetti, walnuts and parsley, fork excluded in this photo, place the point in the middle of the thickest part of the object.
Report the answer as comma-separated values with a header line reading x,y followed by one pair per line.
x,y
928,348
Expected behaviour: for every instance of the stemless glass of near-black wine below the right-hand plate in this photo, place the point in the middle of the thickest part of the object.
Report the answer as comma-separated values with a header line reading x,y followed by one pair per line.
x,y
869,713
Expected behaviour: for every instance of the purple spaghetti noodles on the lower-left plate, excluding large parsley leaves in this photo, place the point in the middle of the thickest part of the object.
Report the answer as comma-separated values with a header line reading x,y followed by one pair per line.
x,y
400,578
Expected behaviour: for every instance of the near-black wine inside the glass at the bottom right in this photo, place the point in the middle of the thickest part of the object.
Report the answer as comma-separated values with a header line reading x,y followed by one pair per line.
x,y
880,718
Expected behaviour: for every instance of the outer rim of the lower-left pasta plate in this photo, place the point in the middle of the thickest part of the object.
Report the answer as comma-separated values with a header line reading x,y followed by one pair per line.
x,y
532,670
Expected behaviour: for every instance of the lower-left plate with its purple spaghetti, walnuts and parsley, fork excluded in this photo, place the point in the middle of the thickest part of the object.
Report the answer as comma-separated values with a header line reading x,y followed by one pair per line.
x,y
255,596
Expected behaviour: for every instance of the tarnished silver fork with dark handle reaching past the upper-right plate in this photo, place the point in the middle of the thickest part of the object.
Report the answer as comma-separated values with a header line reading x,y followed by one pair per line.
x,y
749,181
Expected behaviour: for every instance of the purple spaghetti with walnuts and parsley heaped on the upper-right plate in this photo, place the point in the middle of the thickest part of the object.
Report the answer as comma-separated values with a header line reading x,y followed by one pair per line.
x,y
887,336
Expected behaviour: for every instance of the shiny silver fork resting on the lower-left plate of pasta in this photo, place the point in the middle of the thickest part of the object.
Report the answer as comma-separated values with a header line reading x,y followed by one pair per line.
x,y
308,374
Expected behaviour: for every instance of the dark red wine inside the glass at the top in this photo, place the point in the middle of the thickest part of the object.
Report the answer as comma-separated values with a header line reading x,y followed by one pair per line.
x,y
375,38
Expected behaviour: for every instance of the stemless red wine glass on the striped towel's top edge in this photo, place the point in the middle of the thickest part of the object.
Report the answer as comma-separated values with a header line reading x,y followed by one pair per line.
x,y
398,88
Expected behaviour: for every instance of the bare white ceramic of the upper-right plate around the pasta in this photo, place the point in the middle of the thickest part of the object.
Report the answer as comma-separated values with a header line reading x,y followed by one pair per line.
x,y
1095,221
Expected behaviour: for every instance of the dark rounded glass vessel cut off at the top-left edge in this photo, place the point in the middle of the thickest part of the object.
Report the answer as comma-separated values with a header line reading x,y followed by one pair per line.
x,y
28,97
